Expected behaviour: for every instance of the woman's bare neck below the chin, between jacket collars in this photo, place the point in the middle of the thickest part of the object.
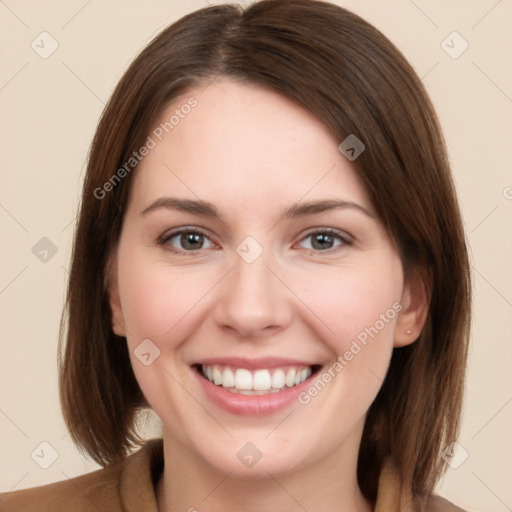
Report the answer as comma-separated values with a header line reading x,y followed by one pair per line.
x,y
190,484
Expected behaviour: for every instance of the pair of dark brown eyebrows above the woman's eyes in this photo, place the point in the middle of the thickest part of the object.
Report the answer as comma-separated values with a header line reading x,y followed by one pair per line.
x,y
206,209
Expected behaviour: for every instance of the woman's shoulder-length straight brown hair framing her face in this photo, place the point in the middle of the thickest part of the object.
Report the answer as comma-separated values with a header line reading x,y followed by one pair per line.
x,y
355,81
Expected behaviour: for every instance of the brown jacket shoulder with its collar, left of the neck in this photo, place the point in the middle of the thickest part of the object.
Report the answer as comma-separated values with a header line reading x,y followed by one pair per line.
x,y
111,488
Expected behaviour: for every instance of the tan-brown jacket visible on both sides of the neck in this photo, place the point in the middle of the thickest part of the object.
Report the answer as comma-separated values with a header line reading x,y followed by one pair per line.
x,y
130,487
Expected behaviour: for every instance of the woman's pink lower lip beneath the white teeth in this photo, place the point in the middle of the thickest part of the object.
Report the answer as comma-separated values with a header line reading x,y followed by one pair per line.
x,y
251,405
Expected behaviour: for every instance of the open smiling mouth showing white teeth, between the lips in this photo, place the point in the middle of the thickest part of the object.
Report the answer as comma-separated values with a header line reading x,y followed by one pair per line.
x,y
256,382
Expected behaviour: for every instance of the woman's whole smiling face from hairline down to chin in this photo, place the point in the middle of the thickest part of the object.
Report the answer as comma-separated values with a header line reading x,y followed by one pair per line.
x,y
251,255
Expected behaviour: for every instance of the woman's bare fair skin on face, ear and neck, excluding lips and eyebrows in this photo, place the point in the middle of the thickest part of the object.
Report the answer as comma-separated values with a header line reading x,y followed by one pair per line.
x,y
252,153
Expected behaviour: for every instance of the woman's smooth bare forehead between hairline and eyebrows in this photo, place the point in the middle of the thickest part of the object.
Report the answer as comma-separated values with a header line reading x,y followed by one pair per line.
x,y
236,144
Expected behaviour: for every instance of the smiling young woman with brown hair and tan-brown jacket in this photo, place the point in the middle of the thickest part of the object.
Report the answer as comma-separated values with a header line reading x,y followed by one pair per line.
x,y
270,255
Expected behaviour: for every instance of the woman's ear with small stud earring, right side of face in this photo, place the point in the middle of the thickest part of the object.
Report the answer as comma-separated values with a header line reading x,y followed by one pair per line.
x,y
415,304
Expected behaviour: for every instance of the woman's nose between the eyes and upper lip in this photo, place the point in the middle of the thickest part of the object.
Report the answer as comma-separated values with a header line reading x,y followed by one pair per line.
x,y
253,303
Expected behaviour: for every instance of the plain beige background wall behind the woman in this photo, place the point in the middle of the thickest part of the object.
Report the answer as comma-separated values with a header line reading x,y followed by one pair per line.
x,y
49,110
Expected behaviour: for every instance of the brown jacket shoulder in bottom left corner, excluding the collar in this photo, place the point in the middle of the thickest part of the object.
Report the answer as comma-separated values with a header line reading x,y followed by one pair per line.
x,y
90,492
